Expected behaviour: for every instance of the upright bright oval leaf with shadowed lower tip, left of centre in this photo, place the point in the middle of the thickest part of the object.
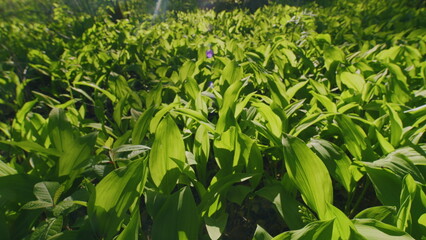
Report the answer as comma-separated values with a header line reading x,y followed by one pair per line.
x,y
168,144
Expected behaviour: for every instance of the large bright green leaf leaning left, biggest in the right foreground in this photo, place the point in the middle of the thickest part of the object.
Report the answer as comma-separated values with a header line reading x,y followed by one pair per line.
x,y
308,173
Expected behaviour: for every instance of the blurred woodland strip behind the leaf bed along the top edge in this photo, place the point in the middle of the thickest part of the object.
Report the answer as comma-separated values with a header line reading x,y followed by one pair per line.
x,y
43,10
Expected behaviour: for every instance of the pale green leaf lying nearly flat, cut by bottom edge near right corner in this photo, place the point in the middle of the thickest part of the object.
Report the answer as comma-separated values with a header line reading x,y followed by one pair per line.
x,y
373,229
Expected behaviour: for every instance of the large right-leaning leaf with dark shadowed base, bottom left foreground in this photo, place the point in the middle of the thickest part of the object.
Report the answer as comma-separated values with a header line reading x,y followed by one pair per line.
x,y
113,196
